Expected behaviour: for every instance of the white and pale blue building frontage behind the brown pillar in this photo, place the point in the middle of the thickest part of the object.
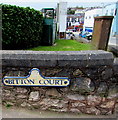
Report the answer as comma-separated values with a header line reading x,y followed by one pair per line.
x,y
108,10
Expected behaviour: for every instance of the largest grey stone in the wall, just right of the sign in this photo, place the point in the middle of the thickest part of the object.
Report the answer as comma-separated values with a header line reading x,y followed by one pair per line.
x,y
81,85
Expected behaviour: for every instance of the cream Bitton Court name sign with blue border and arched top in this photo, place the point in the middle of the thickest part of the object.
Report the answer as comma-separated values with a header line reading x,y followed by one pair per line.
x,y
35,78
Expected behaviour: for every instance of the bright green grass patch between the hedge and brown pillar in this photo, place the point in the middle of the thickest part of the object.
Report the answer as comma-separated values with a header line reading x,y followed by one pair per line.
x,y
64,45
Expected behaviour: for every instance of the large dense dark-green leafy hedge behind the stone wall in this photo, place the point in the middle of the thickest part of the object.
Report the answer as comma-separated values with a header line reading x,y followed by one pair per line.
x,y
21,27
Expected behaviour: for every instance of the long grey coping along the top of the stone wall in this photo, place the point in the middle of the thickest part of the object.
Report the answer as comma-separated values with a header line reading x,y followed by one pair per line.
x,y
22,58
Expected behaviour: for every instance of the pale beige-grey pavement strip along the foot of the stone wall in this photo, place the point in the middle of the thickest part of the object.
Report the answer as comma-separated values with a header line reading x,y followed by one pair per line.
x,y
15,112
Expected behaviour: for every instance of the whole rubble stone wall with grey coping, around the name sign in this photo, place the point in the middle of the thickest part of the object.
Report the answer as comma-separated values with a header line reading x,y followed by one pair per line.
x,y
93,74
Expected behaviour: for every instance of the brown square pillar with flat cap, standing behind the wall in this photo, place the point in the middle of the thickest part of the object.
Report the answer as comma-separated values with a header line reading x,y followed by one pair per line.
x,y
101,32
